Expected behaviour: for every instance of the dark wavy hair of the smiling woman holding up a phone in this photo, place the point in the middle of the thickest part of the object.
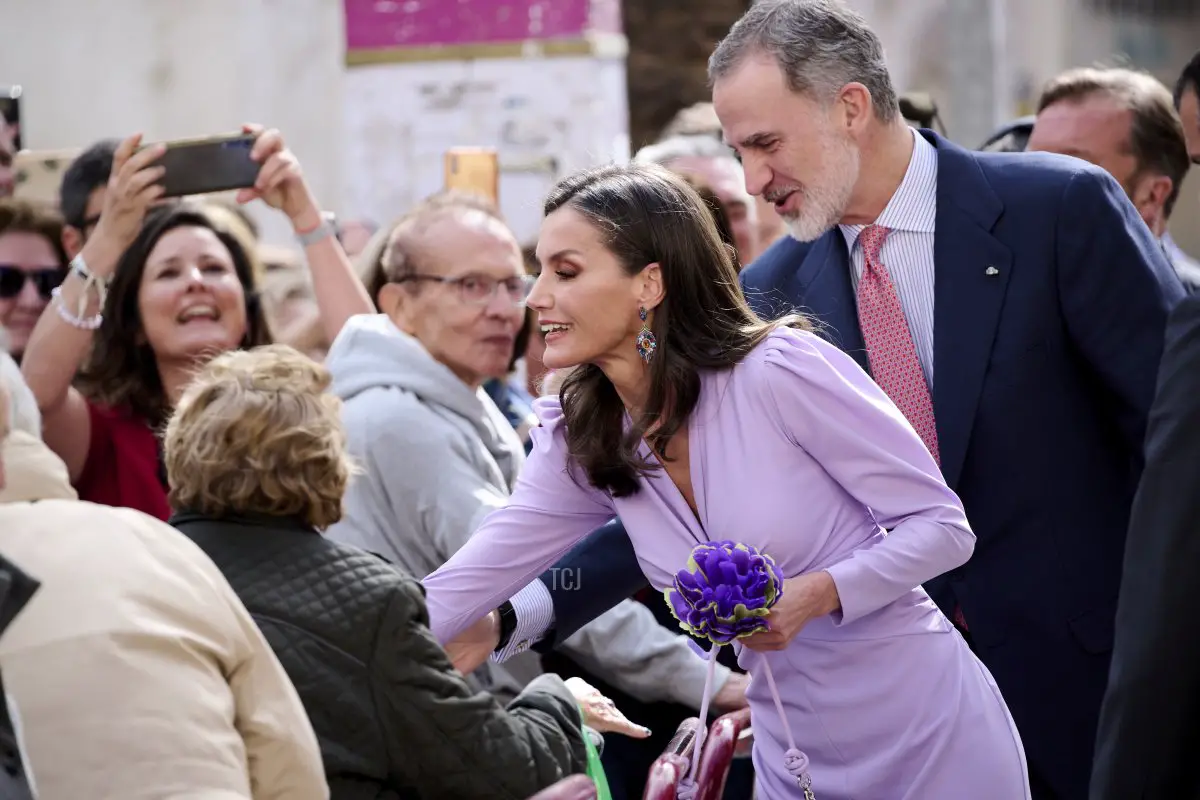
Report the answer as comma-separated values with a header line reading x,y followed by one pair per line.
x,y
122,371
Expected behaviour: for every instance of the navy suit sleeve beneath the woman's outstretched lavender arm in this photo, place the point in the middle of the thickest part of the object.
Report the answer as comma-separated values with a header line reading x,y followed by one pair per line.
x,y
598,574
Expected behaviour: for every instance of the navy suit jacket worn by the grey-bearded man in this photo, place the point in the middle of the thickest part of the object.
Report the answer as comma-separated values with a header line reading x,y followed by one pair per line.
x,y
1051,306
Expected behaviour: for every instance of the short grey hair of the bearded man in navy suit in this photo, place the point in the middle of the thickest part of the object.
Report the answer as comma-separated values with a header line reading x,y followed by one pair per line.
x,y
820,45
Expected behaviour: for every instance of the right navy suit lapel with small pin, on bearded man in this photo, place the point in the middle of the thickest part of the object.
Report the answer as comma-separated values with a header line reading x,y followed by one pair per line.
x,y
971,272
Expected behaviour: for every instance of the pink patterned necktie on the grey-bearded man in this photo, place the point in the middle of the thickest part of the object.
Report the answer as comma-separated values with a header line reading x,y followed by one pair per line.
x,y
890,347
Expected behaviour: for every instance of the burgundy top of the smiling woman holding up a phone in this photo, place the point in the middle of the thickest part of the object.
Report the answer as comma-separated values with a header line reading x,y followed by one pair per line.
x,y
124,464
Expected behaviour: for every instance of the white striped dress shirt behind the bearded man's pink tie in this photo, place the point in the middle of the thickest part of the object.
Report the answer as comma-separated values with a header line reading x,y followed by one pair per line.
x,y
909,250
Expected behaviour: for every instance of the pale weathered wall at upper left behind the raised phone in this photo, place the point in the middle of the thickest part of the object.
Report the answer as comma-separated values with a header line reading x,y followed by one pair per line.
x,y
176,69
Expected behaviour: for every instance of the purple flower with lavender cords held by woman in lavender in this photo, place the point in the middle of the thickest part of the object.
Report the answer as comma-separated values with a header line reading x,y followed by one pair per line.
x,y
727,594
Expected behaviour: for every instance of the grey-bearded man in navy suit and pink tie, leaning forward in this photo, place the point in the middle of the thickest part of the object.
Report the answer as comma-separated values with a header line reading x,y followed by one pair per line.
x,y
1025,303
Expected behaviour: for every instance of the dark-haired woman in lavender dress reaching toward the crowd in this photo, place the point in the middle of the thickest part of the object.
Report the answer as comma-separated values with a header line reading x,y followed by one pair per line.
x,y
763,434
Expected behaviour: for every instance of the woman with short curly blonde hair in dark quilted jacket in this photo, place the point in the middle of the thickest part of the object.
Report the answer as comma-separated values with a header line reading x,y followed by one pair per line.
x,y
257,462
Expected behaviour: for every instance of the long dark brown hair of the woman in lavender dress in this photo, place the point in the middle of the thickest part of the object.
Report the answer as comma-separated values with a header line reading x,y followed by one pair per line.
x,y
646,214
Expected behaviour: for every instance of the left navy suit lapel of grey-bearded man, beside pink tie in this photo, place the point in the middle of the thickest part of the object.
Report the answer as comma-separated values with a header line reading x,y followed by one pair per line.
x,y
824,282
